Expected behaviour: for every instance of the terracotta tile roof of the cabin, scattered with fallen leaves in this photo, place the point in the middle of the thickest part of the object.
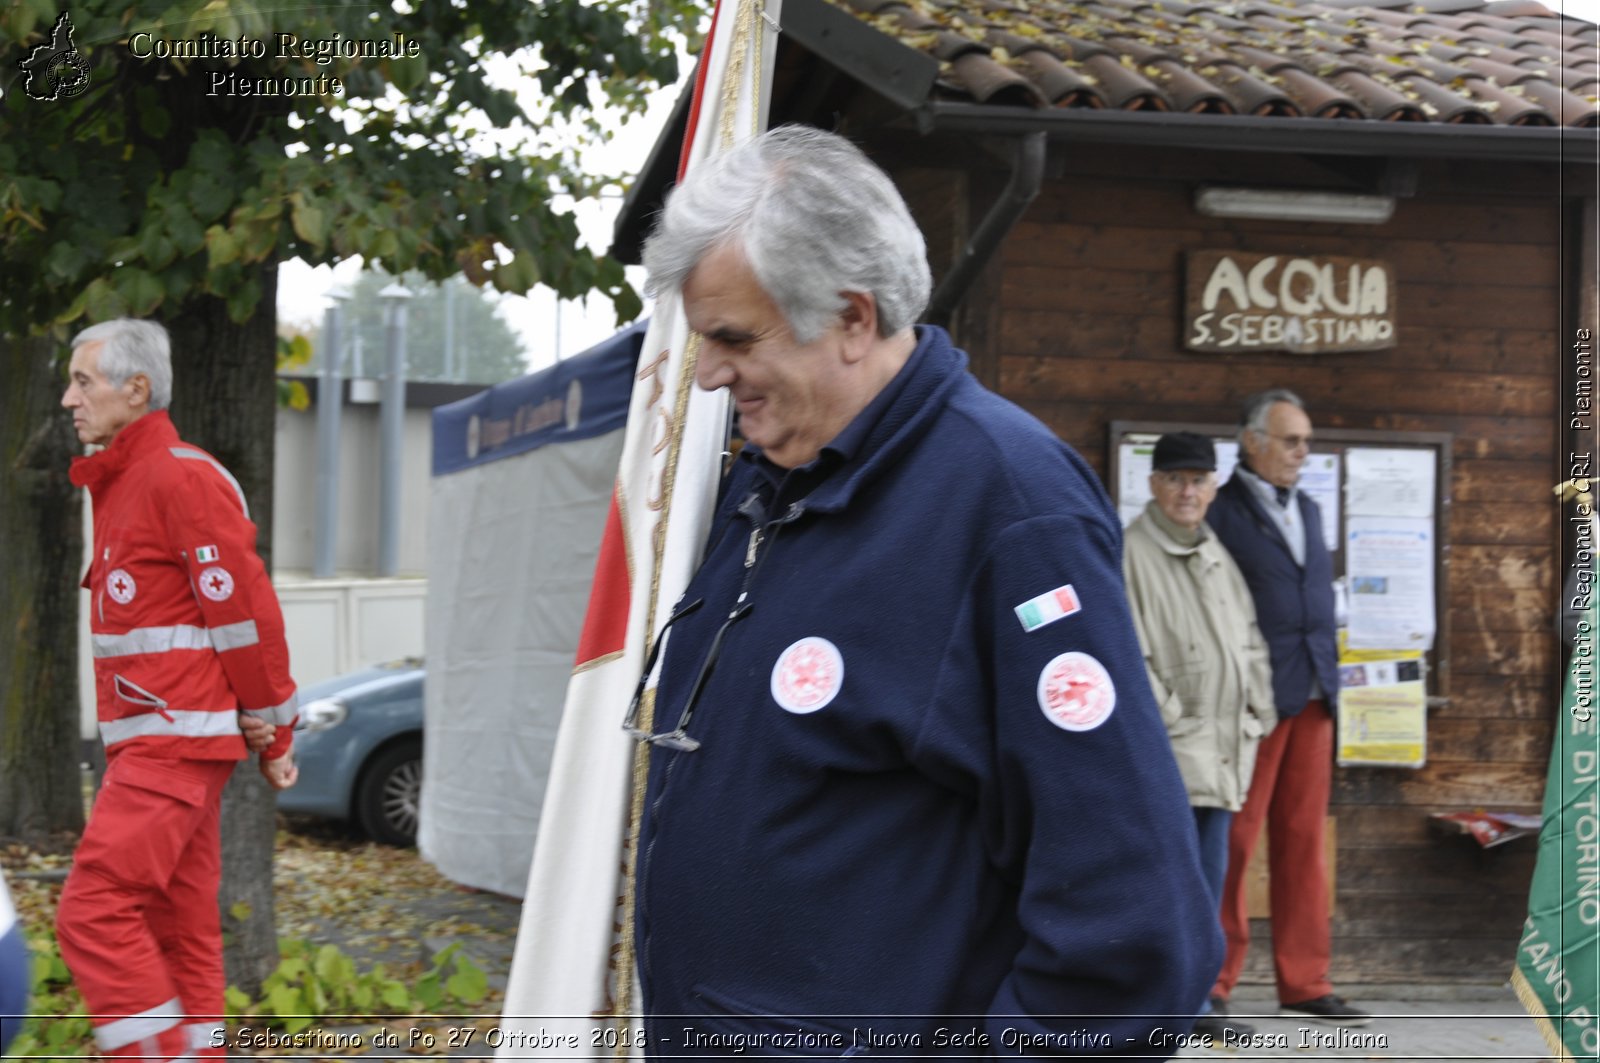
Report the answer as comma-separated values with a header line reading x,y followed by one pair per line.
x,y
1460,62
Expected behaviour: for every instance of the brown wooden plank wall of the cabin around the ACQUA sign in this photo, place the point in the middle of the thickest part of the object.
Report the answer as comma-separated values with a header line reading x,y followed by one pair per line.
x,y
1079,321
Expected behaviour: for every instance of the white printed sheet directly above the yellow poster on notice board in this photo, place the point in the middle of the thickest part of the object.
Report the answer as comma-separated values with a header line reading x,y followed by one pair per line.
x,y
1390,574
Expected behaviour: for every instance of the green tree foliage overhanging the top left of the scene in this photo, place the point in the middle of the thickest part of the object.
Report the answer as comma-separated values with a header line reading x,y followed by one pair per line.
x,y
166,180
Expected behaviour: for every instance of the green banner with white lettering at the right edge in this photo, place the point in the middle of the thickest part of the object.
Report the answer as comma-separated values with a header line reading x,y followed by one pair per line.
x,y
1559,958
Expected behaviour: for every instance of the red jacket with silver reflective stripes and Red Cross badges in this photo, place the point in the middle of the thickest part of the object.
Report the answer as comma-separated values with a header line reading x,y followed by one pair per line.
x,y
185,624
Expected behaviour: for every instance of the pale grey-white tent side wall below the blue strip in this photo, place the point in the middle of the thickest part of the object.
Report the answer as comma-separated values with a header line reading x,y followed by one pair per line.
x,y
513,547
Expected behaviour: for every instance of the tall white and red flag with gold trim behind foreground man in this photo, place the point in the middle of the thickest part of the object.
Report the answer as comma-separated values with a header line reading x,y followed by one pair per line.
x,y
574,981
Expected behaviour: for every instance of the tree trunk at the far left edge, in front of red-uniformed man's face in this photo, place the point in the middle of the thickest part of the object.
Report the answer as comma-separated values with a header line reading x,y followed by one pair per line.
x,y
42,531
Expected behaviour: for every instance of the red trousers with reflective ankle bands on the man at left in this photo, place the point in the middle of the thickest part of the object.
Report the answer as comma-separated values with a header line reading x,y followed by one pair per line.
x,y
138,920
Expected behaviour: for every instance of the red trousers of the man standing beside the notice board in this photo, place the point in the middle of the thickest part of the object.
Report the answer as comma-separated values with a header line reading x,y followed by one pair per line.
x,y
1290,792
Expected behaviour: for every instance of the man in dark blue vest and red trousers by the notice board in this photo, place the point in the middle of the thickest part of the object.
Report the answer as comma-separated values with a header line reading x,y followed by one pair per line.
x,y
1274,532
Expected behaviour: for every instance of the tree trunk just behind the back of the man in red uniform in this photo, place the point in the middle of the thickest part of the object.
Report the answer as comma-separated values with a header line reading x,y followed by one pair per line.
x,y
225,401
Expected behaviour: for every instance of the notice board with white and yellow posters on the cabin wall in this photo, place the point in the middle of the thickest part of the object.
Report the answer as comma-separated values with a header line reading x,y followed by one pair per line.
x,y
1385,500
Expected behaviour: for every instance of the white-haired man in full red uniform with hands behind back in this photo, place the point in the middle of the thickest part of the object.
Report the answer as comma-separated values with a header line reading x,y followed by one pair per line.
x,y
188,636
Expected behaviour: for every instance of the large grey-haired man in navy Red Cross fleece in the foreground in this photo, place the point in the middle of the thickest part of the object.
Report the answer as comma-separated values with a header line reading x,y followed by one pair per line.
x,y
908,790
